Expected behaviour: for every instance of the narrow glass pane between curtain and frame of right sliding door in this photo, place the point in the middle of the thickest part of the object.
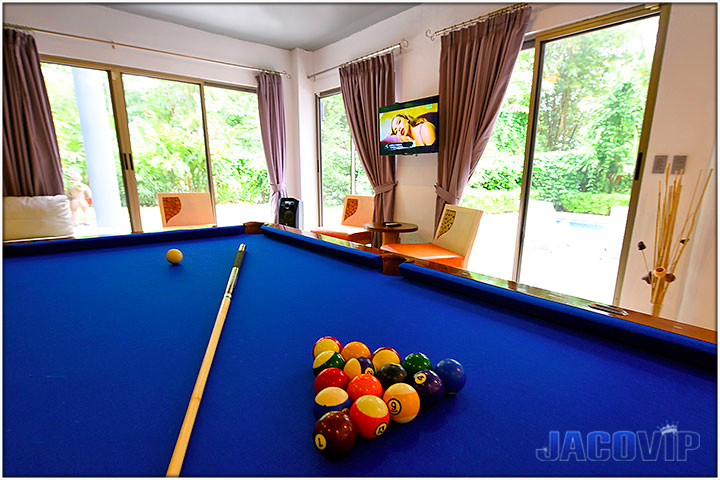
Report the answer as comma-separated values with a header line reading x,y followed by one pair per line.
x,y
495,186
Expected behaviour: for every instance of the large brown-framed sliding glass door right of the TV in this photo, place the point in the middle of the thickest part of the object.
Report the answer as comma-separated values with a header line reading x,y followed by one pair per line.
x,y
559,177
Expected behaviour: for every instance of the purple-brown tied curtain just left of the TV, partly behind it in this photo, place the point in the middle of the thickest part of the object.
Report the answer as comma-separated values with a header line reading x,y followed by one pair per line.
x,y
366,86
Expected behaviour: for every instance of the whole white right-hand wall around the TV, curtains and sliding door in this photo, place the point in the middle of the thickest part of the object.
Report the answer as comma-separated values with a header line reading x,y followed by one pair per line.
x,y
684,123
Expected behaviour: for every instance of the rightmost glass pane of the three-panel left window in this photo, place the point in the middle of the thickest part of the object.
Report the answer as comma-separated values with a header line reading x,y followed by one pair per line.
x,y
242,189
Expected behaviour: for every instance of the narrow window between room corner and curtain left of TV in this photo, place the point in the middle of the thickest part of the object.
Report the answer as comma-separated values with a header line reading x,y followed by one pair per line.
x,y
341,171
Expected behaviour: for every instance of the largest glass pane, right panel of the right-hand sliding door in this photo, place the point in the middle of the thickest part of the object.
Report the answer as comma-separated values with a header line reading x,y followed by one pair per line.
x,y
592,102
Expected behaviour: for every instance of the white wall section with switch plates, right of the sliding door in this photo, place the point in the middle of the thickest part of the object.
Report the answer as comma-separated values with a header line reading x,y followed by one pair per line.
x,y
684,124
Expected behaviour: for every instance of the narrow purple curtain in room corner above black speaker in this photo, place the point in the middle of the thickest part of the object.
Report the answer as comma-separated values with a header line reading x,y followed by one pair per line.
x,y
271,107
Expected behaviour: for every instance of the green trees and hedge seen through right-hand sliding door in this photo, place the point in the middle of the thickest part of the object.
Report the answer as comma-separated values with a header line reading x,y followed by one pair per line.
x,y
590,114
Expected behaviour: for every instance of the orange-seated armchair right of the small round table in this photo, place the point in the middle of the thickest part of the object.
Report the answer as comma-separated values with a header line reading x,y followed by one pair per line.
x,y
453,240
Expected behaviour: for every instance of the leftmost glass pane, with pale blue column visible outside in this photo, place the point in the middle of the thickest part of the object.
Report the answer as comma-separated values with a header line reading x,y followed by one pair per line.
x,y
85,128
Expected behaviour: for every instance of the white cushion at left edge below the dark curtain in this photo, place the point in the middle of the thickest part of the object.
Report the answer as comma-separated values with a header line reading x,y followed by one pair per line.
x,y
36,217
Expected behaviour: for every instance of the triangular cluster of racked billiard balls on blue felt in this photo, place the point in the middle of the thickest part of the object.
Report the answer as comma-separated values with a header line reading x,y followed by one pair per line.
x,y
358,392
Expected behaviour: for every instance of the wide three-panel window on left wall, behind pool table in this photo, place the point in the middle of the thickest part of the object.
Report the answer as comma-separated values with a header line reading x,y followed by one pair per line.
x,y
156,135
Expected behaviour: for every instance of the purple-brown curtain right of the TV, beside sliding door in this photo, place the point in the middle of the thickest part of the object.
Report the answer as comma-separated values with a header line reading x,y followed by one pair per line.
x,y
475,68
